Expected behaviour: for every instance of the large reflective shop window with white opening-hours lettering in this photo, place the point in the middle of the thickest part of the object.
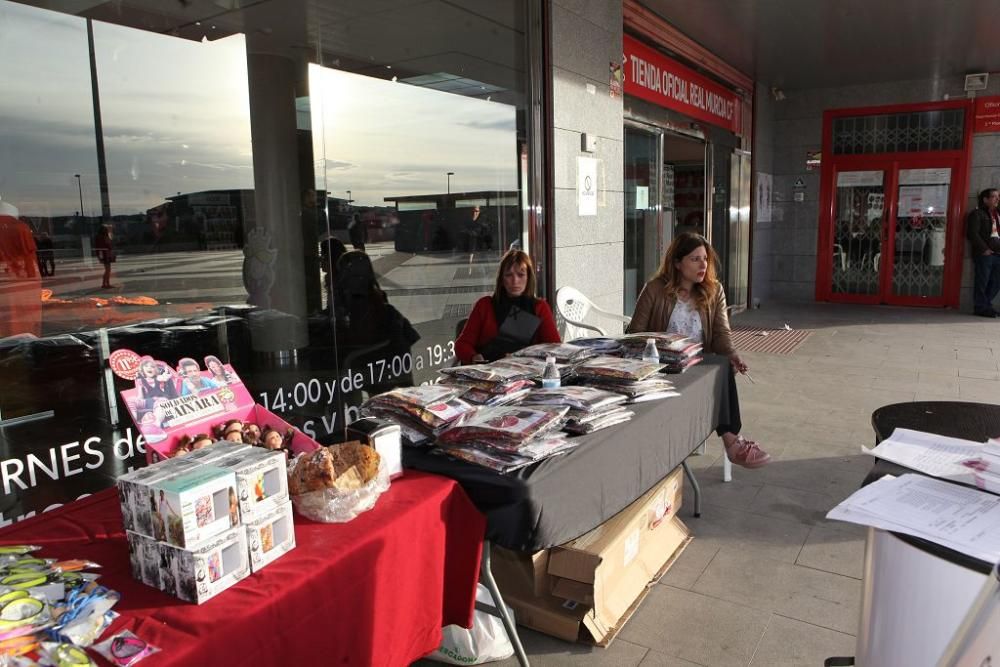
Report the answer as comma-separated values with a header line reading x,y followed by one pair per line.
x,y
316,193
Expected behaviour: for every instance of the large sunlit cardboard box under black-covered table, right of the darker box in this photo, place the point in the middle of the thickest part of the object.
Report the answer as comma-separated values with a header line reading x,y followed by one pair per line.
x,y
610,567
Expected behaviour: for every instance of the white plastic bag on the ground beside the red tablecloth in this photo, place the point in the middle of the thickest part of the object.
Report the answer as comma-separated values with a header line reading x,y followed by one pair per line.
x,y
487,641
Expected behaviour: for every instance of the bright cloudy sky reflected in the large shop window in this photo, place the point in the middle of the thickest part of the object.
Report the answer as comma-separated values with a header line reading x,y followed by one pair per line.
x,y
176,119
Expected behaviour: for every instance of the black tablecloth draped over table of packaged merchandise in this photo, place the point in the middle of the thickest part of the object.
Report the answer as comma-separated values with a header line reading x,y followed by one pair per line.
x,y
562,498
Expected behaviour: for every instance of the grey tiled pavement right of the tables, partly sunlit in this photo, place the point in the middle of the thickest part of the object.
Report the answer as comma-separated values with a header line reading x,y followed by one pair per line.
x,y
767,580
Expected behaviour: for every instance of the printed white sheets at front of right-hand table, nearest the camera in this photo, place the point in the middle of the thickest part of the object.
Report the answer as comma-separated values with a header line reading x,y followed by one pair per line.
x,y
958,517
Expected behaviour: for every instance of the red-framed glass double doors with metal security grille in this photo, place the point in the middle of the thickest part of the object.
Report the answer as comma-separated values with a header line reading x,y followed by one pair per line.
x,y
891,207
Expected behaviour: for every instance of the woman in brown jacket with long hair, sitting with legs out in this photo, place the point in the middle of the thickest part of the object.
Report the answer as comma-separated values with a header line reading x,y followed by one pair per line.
x,y
686,297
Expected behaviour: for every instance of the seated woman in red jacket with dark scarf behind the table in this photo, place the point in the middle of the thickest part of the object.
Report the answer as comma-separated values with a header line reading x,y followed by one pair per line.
x,y
511,319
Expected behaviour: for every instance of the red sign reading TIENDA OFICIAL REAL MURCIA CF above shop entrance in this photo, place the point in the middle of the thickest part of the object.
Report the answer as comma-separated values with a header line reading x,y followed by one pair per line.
x,y
656,78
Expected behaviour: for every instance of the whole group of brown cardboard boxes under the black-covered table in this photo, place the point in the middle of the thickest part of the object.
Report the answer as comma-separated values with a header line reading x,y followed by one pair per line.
x,y
598,580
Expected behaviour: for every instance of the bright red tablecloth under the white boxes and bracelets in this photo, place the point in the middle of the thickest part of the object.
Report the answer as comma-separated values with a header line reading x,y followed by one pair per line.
x,y
374,591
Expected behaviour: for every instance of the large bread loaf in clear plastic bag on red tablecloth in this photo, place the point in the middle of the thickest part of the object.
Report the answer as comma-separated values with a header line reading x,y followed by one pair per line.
x,y
335,484
